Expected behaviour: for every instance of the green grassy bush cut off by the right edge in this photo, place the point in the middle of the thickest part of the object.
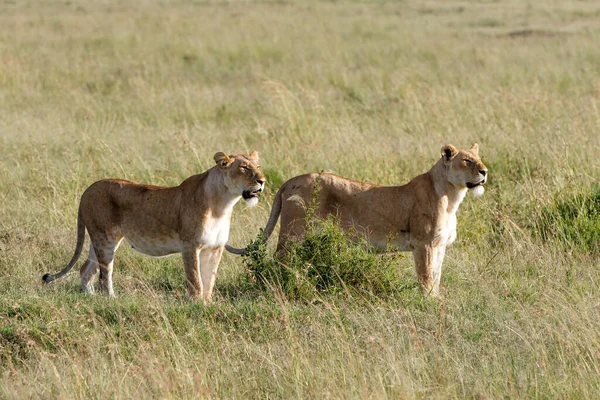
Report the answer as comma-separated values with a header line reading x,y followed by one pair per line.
x,y
574,221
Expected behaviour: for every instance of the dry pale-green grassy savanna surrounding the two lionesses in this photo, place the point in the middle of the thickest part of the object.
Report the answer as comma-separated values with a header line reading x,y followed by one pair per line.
x,y
150,90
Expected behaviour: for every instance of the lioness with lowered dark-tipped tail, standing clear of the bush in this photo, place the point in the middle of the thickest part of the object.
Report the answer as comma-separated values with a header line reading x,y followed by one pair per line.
x,y
192,218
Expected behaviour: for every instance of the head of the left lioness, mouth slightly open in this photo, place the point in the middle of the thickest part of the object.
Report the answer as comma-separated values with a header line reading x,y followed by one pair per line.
x,y
242,175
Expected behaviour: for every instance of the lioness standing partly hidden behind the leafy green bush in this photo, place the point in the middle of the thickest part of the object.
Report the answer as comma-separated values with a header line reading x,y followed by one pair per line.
x,y
419,217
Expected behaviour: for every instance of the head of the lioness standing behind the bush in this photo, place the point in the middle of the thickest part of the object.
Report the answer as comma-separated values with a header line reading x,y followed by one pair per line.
x,y
465,168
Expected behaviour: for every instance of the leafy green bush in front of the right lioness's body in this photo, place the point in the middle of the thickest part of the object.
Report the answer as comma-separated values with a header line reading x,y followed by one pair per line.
x,y
328,260
